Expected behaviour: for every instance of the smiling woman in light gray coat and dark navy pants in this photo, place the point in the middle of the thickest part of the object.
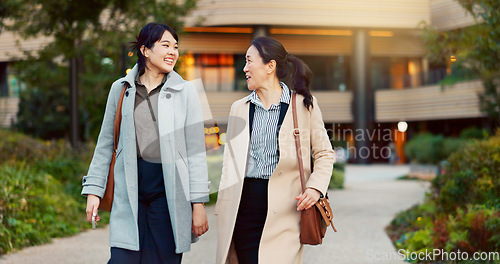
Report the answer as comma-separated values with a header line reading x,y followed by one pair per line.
x,y
161,180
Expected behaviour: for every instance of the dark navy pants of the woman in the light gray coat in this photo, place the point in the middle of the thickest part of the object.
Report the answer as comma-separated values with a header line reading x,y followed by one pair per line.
x,y
156,239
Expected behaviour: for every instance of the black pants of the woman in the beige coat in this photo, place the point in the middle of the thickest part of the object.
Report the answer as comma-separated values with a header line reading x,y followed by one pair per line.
x,y
250,221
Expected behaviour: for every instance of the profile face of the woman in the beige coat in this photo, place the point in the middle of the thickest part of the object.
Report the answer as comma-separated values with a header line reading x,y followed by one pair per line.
x,y
256,72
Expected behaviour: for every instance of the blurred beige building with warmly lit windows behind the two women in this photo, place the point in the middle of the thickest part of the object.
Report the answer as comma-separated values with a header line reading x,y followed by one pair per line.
x,y
368,58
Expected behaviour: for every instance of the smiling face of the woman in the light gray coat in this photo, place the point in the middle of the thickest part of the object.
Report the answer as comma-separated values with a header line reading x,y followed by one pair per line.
x,y
161,58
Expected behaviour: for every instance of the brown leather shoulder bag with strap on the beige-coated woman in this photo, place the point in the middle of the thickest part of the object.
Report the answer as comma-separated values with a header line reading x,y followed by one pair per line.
x,y
315,220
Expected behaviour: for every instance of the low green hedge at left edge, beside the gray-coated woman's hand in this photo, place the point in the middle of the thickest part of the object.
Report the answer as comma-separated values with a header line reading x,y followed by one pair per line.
x,y
40,190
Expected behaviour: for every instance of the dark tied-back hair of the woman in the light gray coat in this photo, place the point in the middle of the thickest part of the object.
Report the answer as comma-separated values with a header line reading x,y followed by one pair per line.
x,y
148,36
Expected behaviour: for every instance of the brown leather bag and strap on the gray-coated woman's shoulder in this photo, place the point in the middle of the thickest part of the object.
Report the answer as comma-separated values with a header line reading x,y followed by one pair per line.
x,y
107,199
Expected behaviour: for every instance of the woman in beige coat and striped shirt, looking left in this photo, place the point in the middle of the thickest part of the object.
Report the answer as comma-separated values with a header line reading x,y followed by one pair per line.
x,y
260,197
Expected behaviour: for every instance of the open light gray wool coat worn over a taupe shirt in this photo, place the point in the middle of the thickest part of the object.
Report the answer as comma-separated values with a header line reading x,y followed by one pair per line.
x,y
183,156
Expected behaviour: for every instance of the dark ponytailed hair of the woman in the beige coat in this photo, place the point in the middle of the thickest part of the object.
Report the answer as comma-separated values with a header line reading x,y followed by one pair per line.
x,y
271,49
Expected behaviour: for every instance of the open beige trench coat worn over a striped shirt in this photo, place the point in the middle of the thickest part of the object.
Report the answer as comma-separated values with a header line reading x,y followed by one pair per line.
x,y
280,241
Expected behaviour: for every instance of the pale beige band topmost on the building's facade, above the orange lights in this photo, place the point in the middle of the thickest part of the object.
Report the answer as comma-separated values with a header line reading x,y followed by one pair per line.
x,y
340,13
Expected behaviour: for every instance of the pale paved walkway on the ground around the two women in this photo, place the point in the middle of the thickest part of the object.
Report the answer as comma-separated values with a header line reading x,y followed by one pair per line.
x,y
362,210
